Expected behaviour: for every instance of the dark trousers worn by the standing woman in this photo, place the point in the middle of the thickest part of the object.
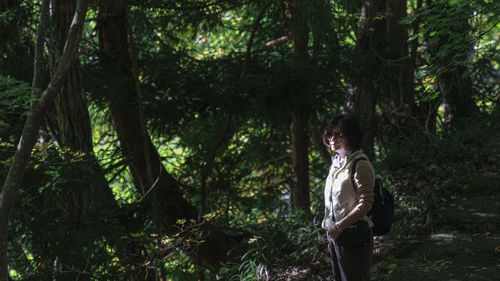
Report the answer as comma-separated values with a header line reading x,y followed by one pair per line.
x,y
350,264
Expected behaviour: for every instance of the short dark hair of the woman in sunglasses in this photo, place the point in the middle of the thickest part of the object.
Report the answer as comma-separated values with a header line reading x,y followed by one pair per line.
x,y
349,126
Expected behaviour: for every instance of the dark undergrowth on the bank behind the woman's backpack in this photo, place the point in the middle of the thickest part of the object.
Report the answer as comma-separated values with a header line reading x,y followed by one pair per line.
x,y
423,170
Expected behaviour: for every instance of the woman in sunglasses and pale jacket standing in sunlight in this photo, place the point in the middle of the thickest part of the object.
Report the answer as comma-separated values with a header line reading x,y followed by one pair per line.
x,y
348,199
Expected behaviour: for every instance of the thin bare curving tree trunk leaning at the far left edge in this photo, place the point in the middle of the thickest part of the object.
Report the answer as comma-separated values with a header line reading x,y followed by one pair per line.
x,y
30,132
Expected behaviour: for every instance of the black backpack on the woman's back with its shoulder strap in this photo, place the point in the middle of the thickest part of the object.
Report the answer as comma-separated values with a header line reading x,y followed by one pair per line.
x,y
382,211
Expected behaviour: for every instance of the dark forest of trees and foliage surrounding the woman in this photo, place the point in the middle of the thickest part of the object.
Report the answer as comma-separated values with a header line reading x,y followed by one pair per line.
x,y
181,140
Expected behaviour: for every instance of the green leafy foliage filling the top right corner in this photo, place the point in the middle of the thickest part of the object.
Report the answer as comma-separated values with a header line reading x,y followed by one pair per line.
x,y
458,36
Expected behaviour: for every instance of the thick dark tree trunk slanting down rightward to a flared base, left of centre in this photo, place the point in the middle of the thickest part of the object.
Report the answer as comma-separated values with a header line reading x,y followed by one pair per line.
x,y
124,115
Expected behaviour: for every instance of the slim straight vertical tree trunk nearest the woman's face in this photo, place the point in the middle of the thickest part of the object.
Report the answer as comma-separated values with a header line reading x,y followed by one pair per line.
x,y
300,116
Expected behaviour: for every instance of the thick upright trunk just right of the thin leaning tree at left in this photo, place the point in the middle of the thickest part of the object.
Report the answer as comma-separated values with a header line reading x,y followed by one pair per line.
x,y
68,121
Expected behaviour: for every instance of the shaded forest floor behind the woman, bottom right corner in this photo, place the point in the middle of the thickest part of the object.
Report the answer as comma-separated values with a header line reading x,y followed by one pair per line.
x,y
464,242
